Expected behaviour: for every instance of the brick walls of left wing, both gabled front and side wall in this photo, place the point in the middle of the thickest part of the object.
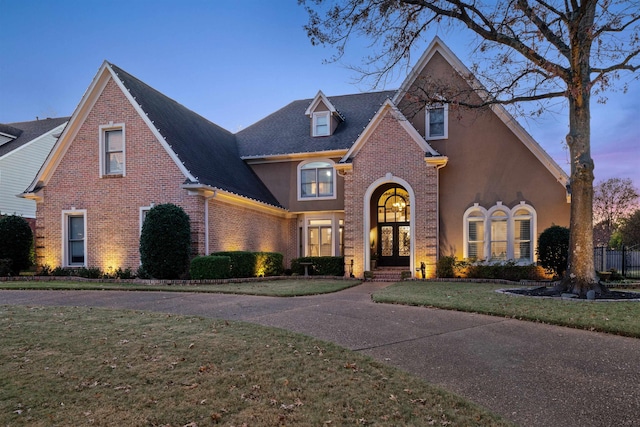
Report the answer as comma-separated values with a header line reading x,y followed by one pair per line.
x,y
112,203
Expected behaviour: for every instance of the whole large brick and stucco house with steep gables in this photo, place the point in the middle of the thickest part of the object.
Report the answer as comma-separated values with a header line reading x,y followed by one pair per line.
x,y
364,176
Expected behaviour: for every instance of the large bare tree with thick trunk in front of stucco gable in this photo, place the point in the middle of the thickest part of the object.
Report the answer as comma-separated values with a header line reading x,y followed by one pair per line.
x,y
540,49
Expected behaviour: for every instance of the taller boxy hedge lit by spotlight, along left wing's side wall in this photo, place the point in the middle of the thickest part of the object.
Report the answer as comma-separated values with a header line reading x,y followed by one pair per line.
x,y
253,264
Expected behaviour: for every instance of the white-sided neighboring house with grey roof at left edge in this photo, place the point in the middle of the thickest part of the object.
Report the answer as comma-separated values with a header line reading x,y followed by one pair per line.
x,y
24,147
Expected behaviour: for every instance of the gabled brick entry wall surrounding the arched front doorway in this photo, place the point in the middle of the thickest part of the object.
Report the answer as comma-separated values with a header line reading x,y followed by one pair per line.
x,y
390,150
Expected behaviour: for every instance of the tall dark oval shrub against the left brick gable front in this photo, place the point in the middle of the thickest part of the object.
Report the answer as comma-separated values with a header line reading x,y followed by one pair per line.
x,y
165,242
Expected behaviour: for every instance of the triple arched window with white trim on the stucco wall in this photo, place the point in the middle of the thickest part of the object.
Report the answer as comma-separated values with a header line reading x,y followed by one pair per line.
x,y
500,233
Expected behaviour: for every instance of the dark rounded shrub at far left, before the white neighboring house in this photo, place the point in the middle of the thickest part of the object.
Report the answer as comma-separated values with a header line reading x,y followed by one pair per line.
x,y
16,241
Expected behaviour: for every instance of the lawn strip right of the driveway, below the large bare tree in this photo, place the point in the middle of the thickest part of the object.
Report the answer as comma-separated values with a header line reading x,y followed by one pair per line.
x,y
622,318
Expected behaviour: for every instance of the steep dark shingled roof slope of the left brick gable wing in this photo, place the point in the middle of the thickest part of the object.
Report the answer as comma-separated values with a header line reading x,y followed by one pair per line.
x,y
208,151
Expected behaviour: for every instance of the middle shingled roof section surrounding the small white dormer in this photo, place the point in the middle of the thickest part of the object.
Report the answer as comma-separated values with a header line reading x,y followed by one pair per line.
x,y
288,130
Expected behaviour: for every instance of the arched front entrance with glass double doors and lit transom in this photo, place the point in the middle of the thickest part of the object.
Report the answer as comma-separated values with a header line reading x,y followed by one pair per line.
x,y
394,230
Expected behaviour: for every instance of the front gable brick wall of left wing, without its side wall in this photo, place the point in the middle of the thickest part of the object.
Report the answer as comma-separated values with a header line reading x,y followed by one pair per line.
x,y
112,204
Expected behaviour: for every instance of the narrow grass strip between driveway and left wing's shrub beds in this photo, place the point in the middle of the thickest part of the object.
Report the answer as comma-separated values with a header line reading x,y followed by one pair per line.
x,y
279,288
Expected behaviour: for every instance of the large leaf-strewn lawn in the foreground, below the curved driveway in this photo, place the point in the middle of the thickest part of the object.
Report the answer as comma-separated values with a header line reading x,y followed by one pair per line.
x,y
79,366
